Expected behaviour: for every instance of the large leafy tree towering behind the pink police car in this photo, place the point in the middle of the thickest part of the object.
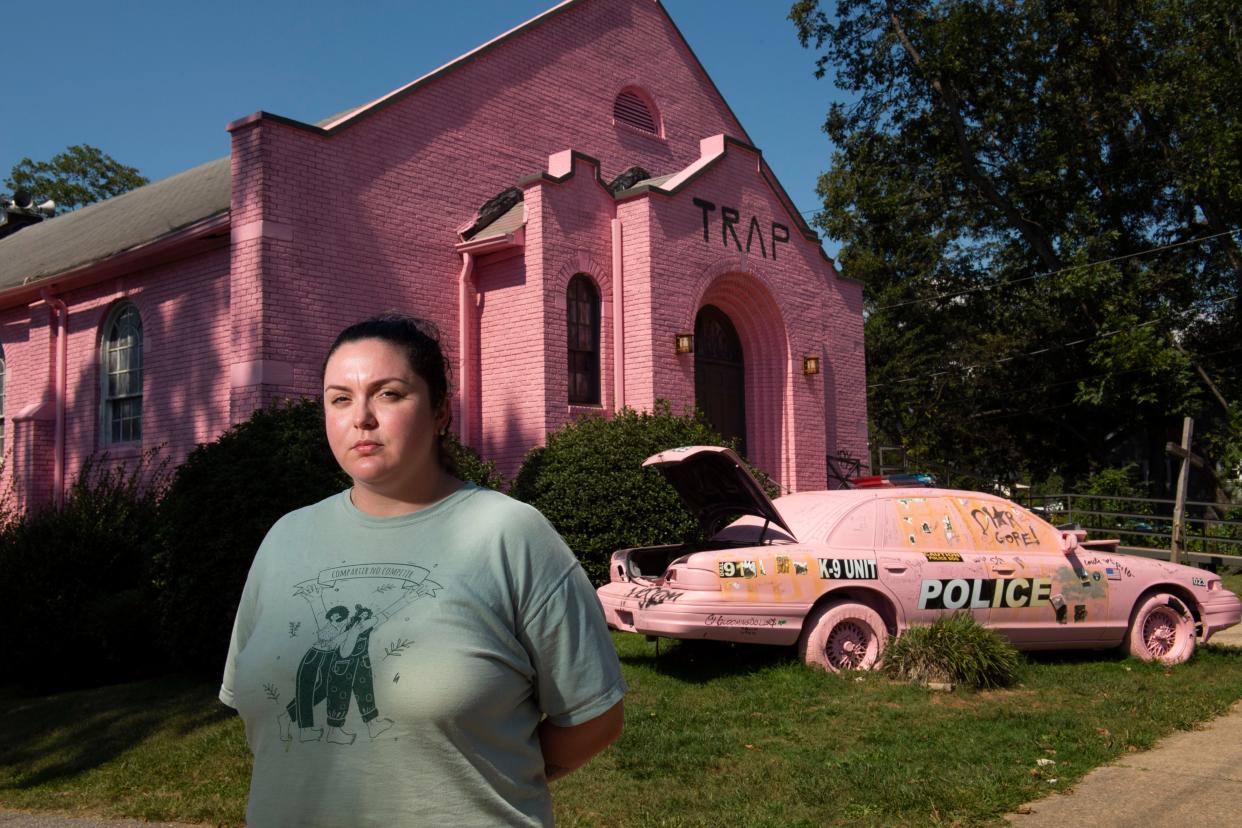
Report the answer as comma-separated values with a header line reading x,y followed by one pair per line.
x,y
1043,202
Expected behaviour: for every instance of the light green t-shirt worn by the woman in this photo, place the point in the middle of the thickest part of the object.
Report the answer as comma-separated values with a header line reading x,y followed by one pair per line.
x,y
393,671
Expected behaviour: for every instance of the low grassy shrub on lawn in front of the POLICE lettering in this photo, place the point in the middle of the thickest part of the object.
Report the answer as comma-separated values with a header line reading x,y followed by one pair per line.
x,y
954,650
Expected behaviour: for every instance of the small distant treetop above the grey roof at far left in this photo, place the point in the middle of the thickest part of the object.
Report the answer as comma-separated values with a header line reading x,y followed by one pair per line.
x,y
80,176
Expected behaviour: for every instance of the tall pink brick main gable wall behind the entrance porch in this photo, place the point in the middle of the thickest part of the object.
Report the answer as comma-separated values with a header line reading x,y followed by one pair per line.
x,y
373,208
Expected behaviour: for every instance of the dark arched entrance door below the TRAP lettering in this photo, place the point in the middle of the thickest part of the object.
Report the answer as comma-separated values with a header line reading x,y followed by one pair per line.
x,y
720,374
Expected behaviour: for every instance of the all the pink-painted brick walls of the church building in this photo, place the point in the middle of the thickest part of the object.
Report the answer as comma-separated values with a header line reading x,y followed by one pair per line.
x,y
329,229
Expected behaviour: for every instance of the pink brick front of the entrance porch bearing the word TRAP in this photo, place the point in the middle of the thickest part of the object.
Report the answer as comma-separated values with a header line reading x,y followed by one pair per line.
x,y
784,305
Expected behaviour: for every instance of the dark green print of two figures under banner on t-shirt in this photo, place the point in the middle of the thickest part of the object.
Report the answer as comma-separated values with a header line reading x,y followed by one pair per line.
x,y
337,668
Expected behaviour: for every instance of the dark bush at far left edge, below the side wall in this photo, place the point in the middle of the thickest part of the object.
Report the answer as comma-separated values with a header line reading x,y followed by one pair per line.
x,y
76,579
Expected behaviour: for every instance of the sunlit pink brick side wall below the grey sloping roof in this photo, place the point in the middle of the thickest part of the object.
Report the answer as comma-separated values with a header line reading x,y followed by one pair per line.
x,y
186,342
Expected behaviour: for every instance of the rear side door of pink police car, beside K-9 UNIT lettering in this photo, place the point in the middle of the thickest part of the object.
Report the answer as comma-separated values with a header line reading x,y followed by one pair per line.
x,y
927,558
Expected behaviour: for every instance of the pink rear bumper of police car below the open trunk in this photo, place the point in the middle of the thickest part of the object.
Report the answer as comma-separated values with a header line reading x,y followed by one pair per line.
x,y
653,610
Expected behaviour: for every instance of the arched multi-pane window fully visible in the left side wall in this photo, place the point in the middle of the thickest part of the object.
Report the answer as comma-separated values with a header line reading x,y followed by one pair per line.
x,y
122,376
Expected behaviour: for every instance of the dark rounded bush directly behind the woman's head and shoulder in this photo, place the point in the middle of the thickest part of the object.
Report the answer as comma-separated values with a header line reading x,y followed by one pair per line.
x,y
220,506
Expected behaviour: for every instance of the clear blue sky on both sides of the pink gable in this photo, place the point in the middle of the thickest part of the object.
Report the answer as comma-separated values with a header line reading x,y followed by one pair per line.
x,y
153,83
